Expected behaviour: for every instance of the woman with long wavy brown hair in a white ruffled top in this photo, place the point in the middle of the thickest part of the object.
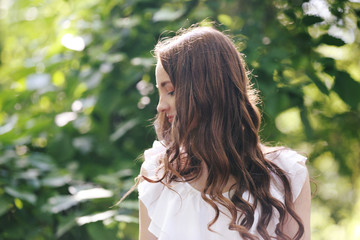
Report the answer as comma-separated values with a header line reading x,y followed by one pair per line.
x,y
209,177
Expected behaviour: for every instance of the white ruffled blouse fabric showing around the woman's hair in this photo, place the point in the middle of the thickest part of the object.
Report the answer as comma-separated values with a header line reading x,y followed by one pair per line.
x,y
180,213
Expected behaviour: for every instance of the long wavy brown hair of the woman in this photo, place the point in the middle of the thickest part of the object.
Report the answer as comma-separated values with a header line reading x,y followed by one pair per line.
x,y
217,123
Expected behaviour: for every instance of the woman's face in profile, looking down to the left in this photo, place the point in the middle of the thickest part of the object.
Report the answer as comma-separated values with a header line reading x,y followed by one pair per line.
x,y
166,93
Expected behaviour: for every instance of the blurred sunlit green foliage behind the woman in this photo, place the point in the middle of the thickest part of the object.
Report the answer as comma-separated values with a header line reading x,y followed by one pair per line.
x,y
77,97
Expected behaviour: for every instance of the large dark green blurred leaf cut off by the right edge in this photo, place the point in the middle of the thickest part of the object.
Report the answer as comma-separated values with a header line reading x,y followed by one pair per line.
x,y
347,88
